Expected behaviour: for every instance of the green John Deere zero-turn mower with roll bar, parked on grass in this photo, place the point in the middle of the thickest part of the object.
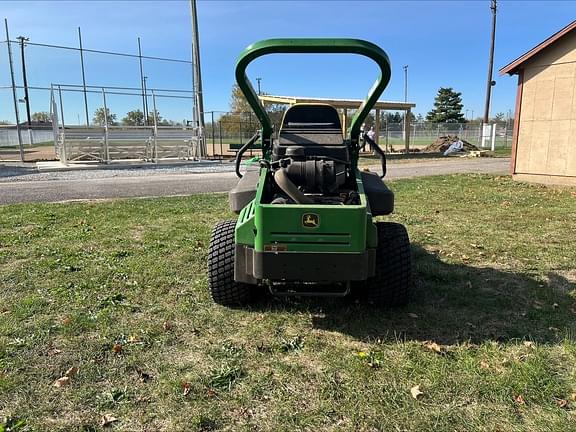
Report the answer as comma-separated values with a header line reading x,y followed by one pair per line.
x,y
306,217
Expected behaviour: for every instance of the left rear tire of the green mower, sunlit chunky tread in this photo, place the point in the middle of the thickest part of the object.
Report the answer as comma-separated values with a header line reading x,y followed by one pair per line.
x,y
223,288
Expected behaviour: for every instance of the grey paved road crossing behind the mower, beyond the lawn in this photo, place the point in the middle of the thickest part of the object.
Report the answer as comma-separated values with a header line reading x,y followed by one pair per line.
x,y
158,183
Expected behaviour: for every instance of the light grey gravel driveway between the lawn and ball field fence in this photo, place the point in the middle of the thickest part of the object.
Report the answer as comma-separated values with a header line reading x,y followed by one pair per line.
x,y
24,185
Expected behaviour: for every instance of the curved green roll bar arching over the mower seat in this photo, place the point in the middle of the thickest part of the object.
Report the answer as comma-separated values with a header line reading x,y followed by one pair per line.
x,y
312,46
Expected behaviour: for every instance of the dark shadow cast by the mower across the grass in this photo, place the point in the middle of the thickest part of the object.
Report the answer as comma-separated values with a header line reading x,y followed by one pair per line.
x,y
454,303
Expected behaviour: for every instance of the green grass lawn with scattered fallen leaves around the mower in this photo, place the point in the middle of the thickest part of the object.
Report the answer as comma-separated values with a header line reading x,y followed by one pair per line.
x,y
118,290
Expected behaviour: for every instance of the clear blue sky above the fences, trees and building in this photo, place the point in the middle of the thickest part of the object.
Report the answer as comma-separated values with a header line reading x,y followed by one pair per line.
x,y
445,43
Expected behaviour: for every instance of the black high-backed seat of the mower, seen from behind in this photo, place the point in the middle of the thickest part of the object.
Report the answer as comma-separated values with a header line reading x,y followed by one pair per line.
x,y
314,127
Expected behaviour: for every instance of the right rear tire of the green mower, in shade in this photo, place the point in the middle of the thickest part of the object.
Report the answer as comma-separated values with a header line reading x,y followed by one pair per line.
x,y
390,286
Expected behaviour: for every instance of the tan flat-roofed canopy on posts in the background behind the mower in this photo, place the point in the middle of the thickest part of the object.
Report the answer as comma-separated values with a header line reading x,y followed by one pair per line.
x,y
351,104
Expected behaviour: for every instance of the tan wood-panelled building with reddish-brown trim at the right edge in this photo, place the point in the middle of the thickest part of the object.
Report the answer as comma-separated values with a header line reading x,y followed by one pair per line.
x,y
544,139
